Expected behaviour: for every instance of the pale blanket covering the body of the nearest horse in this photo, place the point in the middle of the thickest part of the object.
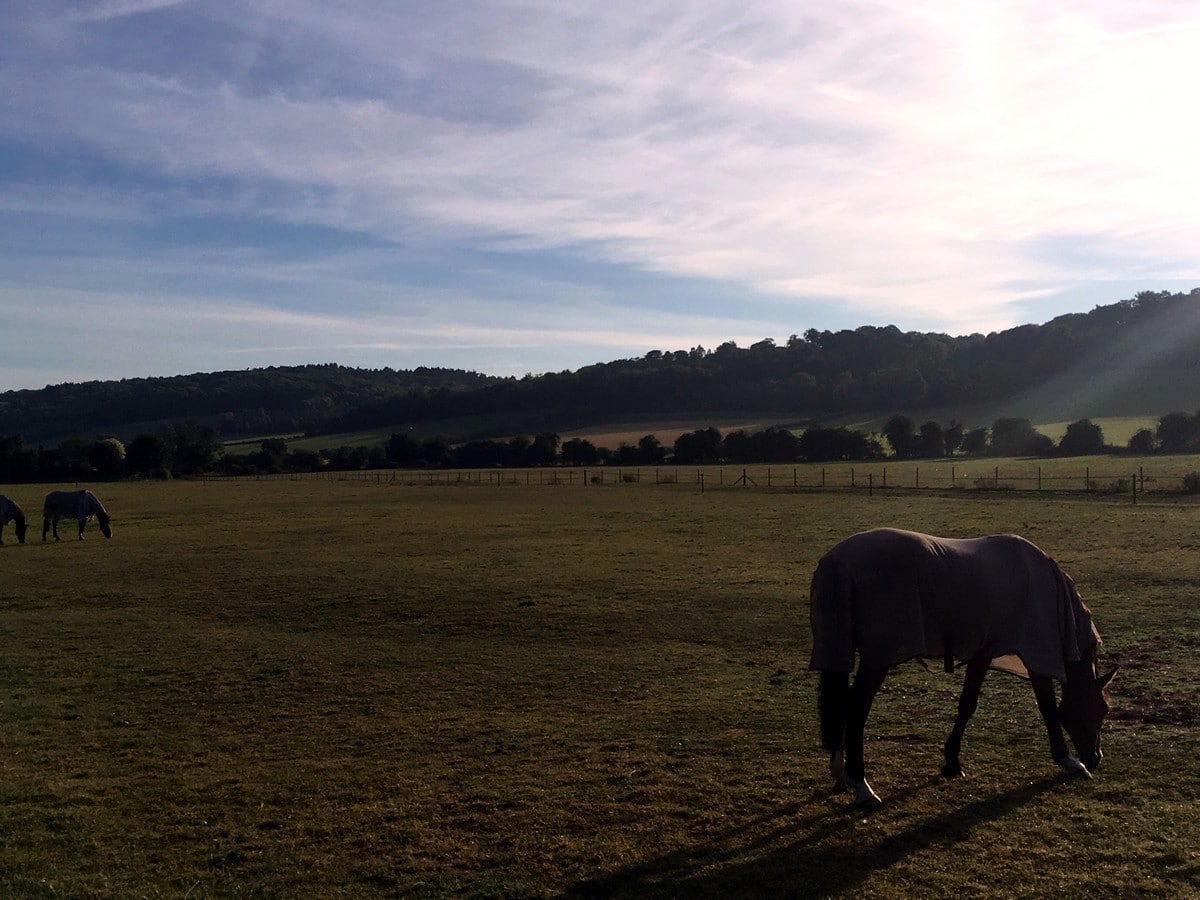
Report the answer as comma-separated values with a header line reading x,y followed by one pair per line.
x,y
896,596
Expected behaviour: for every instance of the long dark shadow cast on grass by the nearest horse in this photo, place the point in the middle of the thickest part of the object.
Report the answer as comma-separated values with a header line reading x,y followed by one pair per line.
x,y
795,853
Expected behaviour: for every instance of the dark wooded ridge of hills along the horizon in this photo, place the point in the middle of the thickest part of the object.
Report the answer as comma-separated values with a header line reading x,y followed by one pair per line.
x,y
1138,357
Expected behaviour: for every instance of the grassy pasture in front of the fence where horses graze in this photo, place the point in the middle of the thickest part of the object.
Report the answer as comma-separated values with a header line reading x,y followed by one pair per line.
x,y
345,689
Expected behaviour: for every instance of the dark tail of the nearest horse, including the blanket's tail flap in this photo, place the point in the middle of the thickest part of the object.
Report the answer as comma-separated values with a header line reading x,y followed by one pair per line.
x,y
833,649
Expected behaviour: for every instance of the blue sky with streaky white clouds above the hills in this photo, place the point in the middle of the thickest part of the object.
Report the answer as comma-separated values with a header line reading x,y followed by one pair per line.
x,y
527,187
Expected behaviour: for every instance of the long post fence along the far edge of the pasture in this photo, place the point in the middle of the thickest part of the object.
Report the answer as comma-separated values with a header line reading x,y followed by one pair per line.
x,y
1059,478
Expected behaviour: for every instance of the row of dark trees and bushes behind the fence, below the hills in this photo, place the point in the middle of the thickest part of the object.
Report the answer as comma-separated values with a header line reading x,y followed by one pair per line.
x,y
189,449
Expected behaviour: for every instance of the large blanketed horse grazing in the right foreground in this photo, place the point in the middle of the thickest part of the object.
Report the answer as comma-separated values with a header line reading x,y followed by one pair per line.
x,y
992,603
